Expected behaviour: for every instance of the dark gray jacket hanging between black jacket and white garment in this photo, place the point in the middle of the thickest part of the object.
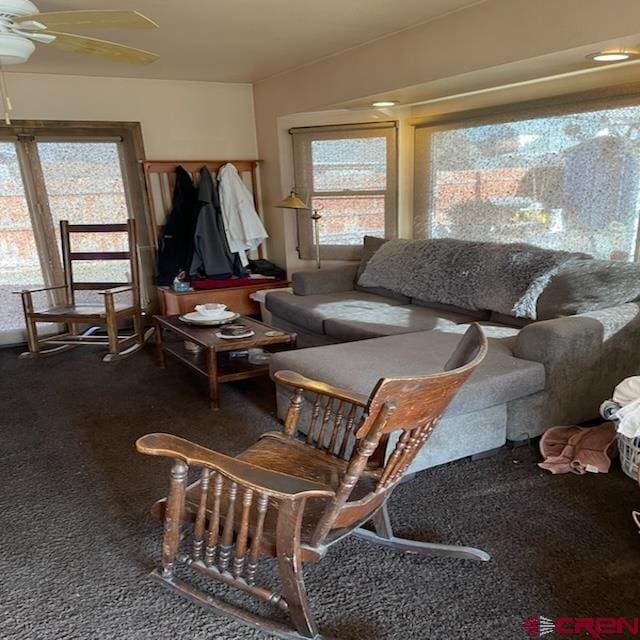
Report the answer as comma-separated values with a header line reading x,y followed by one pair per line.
x,y
212,257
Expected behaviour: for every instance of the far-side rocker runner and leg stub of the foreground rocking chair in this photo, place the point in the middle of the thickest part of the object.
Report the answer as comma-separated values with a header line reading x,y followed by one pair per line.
x,y
384,536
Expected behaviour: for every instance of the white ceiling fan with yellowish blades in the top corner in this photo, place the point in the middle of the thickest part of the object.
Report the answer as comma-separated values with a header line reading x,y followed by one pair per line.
x,y
22,25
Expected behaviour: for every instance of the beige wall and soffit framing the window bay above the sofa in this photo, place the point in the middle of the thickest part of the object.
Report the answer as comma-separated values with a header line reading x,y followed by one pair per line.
x,y
493,43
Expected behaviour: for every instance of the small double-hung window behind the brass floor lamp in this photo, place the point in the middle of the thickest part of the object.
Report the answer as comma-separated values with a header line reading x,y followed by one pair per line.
x,y
348,173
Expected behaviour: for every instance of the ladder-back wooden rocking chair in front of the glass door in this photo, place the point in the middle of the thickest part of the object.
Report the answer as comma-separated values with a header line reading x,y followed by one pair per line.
x,y
75,316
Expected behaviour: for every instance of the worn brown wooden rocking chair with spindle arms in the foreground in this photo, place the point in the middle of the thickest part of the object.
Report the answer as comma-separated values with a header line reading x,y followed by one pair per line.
x,y
291,498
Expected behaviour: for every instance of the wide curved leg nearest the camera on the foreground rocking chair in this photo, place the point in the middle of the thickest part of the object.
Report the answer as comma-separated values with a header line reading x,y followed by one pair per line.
x,y
290,569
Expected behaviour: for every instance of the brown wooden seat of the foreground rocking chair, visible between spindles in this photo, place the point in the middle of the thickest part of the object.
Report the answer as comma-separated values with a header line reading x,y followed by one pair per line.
x,y
276,452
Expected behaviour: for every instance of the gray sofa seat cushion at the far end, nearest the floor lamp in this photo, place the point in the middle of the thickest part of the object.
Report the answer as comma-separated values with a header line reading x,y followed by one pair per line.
x,y
311,311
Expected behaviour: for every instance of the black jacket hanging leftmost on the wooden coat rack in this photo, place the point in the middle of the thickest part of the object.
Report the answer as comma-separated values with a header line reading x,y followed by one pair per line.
x,y
176,242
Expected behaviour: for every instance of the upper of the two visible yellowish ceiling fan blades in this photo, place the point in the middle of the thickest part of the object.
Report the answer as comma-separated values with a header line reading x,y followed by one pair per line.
x,y
98,19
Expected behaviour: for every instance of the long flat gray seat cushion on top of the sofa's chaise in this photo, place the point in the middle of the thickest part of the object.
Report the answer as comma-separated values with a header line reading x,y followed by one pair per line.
x,y
359,365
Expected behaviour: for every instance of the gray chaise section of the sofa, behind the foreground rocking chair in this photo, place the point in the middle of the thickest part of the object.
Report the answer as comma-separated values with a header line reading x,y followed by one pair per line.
x,y
477,419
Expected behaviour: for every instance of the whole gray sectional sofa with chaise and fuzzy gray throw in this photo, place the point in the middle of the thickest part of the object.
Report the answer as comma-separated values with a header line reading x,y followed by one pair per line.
x,y
580,334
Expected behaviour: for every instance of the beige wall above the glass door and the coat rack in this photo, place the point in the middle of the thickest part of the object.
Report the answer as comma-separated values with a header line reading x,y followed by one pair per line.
x,y
180,120
